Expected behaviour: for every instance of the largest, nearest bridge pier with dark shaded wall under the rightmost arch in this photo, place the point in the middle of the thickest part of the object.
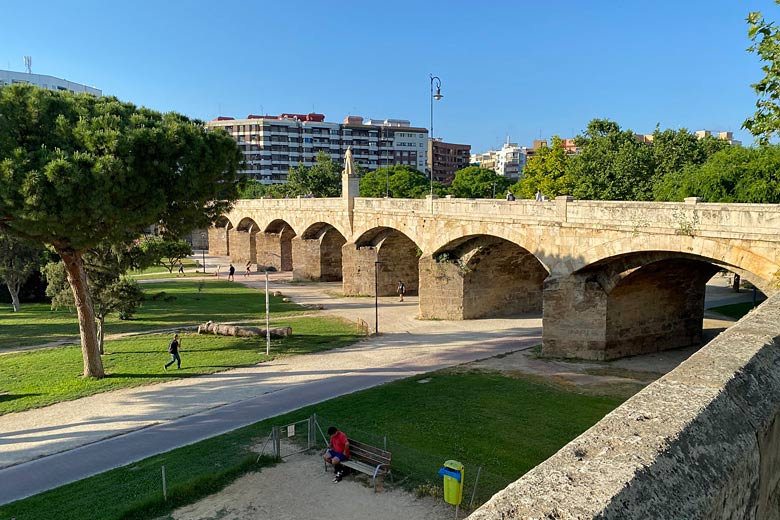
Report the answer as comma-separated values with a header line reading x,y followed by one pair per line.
x,y
600,315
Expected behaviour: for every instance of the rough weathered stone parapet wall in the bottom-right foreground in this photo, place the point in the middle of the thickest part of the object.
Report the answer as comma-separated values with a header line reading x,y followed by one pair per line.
x,y
702,442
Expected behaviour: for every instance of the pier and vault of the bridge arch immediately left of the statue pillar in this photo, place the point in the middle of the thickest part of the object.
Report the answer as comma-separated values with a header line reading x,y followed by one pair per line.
x,y
317,252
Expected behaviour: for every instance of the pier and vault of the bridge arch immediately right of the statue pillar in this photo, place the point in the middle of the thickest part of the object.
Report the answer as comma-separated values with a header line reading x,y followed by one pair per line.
x,y
391,253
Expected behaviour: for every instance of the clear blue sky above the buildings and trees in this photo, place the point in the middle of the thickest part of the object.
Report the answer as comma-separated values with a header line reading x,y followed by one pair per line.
x,y
524,69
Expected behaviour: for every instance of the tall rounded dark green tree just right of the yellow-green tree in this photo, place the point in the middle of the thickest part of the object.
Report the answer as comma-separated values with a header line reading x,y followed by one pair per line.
x,y
611,165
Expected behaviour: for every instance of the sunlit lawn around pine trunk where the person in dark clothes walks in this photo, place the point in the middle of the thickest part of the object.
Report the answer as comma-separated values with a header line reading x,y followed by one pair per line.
x,y
41,377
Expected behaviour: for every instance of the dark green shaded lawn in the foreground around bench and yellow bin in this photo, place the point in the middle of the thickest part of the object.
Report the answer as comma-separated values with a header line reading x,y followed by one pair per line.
x,y
507,425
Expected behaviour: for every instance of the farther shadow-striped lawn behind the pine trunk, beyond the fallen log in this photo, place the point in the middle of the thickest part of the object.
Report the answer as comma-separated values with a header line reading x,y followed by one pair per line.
x,y
167,305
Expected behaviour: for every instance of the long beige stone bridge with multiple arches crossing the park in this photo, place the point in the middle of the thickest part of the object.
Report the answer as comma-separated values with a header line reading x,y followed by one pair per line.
x,y
611,278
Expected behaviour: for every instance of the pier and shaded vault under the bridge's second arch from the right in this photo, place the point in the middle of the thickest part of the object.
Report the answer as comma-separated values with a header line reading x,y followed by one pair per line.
x,y
479,276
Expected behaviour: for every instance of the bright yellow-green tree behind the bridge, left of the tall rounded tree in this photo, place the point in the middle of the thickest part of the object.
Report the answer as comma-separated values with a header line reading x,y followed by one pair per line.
x,y
546,171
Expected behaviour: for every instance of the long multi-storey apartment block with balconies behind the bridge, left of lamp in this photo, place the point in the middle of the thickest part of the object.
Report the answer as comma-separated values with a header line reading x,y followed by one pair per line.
x,y
273,144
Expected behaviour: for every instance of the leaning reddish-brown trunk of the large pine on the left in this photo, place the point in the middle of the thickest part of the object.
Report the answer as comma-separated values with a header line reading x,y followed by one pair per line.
x,y
77,277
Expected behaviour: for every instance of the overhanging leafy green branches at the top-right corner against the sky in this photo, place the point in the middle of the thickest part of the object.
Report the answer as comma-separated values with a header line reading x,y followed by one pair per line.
x,y
765,36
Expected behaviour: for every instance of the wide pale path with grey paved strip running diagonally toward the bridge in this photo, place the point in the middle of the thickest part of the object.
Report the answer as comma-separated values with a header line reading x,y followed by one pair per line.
x,y
48,447
